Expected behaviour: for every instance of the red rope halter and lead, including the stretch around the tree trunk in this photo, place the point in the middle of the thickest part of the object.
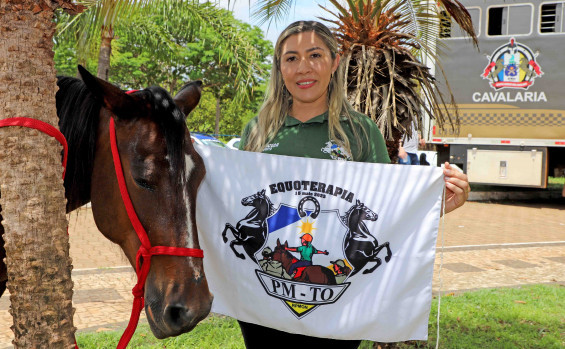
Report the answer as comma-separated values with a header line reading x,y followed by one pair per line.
x,y
145,250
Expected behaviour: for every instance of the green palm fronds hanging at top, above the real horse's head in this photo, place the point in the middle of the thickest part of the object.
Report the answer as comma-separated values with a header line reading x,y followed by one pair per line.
x,y
103,18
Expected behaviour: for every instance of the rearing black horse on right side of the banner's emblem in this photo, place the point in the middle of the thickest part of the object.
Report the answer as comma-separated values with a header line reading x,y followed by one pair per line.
x,y
360,246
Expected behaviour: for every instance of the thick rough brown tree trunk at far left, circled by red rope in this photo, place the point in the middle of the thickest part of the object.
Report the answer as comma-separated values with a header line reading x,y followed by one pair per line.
x,y
33,201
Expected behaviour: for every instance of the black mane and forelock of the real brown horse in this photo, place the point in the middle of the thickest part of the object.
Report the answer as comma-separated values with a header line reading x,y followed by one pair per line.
x,y
78,112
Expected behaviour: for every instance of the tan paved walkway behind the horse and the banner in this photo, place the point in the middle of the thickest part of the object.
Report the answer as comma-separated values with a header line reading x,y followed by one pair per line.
x,y
485,245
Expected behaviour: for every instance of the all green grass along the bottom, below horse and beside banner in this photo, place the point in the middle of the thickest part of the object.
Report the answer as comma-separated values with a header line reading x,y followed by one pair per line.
x,y
525,317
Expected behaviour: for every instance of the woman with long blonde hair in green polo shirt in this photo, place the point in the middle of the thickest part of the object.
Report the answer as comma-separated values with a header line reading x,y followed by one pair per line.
x,y
306,114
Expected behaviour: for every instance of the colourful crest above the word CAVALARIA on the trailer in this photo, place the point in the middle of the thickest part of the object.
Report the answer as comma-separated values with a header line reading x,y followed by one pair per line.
x,y
512,65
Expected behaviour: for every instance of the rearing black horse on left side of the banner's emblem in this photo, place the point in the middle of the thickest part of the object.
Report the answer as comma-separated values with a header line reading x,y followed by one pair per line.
x,y
251,231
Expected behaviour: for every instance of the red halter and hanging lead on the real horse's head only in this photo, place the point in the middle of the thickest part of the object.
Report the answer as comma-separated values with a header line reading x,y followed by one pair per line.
x,y
145,250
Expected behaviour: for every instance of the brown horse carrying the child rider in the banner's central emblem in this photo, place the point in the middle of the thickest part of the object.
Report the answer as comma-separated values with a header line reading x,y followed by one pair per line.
x,y
315,274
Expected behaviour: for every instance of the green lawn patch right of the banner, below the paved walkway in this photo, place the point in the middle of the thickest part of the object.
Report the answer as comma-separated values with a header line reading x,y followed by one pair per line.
x,y
526,317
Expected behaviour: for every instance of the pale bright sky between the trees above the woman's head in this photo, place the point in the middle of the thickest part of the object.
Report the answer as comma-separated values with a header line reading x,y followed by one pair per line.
x,y
301,10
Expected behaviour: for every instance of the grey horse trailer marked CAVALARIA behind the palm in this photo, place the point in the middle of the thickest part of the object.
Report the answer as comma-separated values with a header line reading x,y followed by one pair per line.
x,y
511,128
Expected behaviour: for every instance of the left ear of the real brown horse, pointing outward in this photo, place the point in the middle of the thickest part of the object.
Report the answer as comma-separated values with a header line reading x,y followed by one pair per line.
x,y
113,98
